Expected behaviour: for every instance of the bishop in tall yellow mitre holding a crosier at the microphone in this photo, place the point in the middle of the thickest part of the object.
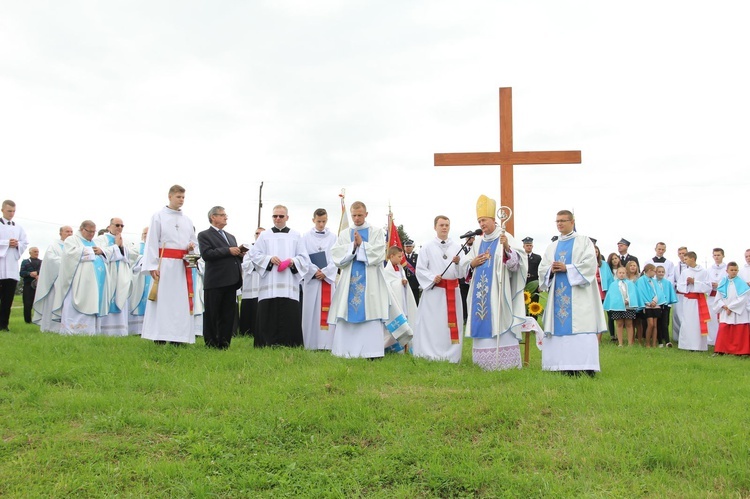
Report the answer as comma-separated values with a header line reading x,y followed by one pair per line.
x,y
497,268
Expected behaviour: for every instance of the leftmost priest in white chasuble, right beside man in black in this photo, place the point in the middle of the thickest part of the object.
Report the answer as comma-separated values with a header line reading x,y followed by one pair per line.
x,y
45,288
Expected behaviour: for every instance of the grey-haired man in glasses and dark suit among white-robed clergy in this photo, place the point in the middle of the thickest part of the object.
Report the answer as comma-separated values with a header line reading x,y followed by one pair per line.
x,y
222,278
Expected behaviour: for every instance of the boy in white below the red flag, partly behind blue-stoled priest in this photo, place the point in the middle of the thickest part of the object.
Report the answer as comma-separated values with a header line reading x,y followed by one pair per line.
x,y
402,299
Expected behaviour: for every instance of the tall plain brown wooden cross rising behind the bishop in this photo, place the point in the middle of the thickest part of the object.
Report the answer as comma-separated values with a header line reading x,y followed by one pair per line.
x,y
507,157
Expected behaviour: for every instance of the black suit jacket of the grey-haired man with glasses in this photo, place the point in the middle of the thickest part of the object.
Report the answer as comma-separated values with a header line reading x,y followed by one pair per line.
x,y
222,268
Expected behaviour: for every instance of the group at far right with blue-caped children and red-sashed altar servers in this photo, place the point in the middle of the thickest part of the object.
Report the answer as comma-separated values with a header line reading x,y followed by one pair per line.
x,y
709,307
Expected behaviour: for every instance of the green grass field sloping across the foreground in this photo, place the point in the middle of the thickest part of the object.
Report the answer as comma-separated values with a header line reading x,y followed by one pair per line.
x,y
103,417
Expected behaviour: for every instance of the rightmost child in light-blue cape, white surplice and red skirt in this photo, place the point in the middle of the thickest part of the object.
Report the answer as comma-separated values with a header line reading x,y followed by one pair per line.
x,y
733,305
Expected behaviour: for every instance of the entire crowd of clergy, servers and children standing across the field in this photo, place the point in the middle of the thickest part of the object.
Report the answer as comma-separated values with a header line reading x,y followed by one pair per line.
x,y
352,294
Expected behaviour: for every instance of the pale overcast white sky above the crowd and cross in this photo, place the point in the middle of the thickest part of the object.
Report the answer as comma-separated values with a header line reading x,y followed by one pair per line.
x,y
105,105
